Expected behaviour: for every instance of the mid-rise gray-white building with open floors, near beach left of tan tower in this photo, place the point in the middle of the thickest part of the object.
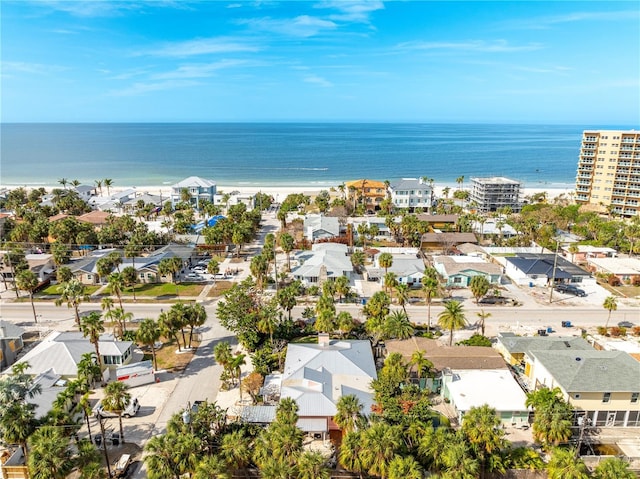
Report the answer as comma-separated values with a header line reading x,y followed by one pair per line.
x,y
494,193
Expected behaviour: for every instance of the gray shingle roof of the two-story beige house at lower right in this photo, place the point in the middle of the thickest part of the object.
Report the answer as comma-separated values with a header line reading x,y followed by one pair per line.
x,y
592,371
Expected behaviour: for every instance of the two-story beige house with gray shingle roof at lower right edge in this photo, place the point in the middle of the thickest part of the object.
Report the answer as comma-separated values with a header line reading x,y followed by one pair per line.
x,y
603,386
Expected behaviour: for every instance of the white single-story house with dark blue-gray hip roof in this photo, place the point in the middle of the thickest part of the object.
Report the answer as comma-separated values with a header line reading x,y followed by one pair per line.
x,y
541,269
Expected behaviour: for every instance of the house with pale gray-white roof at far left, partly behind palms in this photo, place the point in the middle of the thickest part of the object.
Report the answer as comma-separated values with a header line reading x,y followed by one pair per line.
x,y
61,352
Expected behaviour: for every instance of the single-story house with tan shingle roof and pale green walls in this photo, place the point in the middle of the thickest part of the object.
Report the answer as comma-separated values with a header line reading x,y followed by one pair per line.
x,y
458,270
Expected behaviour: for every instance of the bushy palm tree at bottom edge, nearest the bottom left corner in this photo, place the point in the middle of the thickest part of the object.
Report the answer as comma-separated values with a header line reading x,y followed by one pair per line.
x,y
50,456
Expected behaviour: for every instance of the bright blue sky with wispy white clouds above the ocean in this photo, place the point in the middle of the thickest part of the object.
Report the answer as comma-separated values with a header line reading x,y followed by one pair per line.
x,y
334,60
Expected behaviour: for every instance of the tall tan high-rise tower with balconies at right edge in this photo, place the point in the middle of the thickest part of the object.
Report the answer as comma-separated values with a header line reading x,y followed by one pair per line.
x,y
608,177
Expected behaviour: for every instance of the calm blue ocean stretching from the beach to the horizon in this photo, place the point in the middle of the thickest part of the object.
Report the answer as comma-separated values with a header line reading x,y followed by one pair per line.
x,y
280,154
